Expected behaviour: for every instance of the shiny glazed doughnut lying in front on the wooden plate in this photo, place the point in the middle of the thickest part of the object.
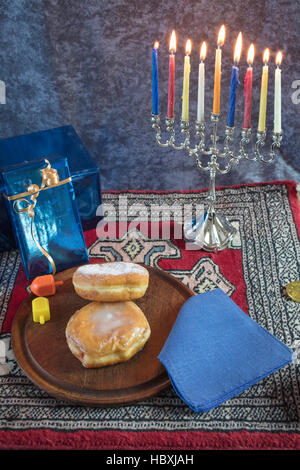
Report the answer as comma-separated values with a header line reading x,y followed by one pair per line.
x,y
102,334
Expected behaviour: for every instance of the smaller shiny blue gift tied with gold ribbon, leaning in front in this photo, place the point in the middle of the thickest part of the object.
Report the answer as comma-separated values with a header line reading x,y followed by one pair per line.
x,y
40,199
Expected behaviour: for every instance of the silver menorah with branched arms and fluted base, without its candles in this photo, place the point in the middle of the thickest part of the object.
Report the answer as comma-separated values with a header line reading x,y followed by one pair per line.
x,y
213,231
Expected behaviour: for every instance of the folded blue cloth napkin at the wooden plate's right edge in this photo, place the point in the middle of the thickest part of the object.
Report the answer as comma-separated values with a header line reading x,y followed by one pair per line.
x,y
216,351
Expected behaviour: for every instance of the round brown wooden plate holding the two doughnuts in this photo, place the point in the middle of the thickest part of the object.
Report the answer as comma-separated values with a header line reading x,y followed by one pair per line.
x,y
44,356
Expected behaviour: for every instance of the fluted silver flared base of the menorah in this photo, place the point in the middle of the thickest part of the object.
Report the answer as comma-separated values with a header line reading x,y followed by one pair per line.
x,y
212,232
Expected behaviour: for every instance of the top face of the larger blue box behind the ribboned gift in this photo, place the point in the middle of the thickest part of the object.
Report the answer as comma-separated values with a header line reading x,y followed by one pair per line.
x,y
58,141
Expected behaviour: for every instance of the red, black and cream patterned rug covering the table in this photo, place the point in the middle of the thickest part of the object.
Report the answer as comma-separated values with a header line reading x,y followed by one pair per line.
x,y
262,259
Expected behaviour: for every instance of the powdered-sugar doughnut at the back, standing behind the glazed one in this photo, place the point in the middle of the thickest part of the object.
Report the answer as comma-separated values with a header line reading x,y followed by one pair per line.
x,y
111,282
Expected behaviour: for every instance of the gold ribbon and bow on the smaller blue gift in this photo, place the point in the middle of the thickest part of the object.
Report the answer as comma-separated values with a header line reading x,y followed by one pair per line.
x,y
50,179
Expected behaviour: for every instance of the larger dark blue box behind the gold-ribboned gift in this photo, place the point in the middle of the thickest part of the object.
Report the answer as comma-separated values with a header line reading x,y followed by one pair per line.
x,y
62,141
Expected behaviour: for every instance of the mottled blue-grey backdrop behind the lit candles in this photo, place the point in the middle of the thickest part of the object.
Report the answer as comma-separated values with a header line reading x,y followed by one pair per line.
x,y
88,63
